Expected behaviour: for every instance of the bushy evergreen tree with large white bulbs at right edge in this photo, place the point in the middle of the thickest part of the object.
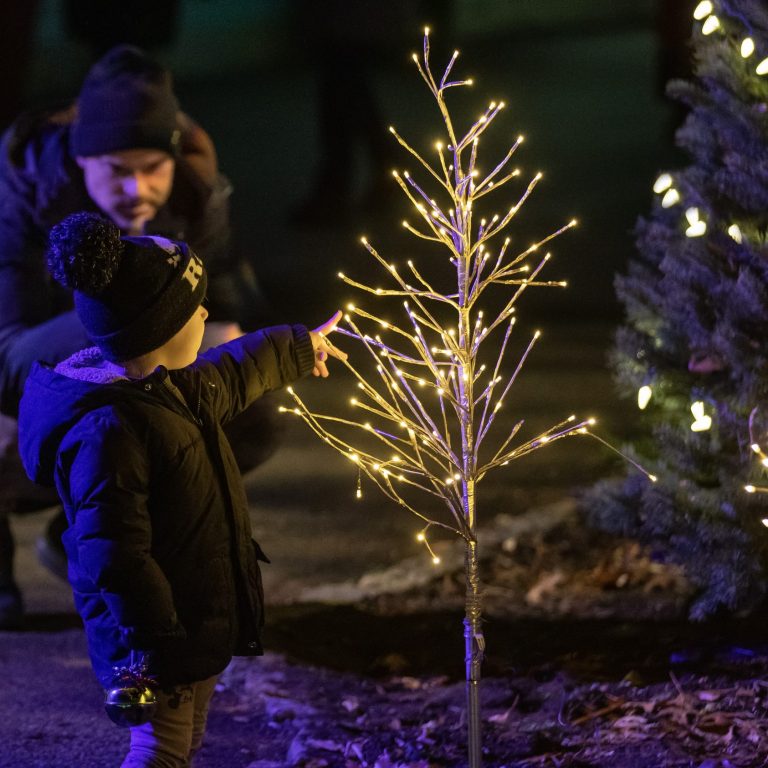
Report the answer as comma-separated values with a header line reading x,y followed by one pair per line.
x,y
694,348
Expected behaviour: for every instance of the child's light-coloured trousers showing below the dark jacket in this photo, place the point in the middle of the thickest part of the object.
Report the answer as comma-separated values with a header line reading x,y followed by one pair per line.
x,y
176,730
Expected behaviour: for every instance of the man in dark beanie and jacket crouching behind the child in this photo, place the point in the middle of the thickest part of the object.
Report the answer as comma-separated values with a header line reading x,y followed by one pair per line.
x,y
126,150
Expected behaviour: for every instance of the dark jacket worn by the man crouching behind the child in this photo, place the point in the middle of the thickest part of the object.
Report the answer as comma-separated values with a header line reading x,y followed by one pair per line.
x,y
40,184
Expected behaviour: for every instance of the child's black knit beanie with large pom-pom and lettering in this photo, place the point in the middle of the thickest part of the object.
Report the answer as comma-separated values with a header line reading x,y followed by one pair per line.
x,y
132,294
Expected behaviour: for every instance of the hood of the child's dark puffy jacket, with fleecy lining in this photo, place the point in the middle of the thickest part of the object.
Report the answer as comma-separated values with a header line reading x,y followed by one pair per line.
x,y
54,400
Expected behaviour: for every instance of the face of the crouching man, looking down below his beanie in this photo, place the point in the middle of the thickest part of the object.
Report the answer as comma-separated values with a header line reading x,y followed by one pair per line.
x,y
130,185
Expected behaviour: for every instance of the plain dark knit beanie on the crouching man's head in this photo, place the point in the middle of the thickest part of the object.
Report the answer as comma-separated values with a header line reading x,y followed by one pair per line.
x,y
126,102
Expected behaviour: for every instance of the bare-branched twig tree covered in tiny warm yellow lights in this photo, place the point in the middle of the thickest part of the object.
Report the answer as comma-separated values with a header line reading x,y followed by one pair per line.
x,y
433,403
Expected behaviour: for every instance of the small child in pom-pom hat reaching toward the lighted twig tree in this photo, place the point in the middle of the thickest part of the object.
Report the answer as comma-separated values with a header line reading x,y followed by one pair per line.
x,y
159,547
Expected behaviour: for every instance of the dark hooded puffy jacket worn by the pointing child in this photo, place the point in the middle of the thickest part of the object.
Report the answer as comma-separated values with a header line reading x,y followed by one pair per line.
x,y
159,540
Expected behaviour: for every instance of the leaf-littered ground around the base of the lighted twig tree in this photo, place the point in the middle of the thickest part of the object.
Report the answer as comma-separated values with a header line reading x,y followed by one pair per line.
x,y
590,662
